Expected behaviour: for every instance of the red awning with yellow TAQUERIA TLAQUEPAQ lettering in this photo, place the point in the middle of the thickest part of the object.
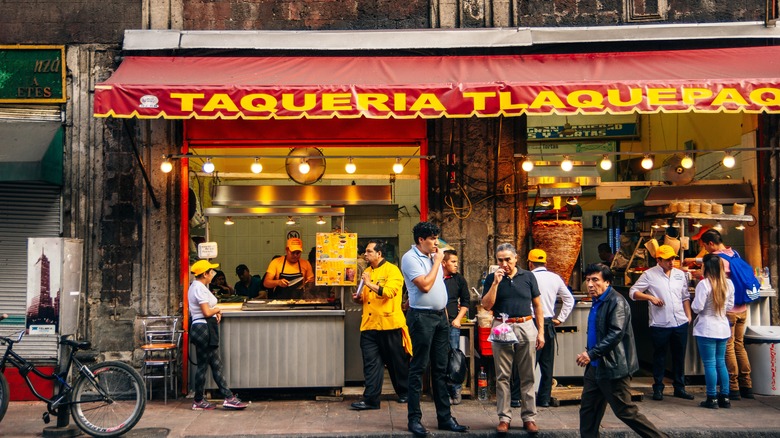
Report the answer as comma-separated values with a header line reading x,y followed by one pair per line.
x,y
709,80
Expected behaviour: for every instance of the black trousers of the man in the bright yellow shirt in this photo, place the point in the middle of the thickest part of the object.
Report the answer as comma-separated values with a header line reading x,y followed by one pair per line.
x,y
384,348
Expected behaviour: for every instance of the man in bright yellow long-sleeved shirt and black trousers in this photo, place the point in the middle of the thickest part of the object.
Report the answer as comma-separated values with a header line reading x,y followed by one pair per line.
x,y
384,337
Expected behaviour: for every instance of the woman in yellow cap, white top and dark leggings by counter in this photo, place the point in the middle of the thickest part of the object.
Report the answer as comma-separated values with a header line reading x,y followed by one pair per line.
x,y
204,335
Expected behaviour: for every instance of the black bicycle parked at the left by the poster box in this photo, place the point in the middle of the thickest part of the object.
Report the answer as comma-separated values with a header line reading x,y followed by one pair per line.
x,y
106,400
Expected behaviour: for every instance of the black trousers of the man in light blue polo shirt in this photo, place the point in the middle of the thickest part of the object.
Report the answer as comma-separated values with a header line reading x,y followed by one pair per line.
x,y
430,342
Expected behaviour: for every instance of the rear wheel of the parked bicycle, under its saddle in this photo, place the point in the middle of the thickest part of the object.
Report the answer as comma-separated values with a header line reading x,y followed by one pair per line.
x,y
111,403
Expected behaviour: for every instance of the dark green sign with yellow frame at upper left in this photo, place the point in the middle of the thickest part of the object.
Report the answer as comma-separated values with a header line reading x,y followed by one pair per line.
x,y
32,74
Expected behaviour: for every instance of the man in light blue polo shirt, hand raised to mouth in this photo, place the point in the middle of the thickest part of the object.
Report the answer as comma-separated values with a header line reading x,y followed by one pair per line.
x,y
428,327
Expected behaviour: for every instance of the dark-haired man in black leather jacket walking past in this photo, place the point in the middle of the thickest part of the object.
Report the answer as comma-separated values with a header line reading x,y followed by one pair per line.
x,y
610,359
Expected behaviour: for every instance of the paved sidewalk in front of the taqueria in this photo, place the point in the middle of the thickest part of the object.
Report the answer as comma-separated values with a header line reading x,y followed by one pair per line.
x,y
288,418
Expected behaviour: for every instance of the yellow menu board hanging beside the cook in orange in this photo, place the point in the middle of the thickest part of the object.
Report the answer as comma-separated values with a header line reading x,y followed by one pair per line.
x,y
336,259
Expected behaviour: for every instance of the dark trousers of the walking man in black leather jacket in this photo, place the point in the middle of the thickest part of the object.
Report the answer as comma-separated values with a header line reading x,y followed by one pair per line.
x,y
597,393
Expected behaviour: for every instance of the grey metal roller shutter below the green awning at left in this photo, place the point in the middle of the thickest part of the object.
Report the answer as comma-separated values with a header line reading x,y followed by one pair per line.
x,y
28,209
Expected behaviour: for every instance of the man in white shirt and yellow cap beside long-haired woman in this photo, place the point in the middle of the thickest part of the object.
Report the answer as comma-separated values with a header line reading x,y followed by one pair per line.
x,y
666,289
